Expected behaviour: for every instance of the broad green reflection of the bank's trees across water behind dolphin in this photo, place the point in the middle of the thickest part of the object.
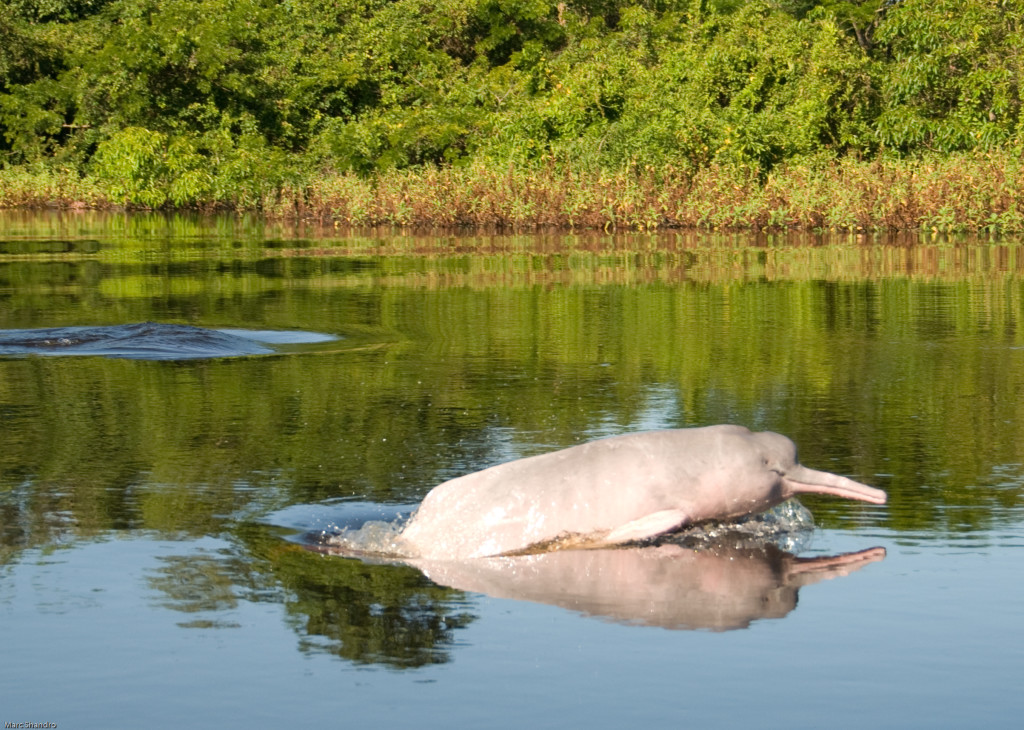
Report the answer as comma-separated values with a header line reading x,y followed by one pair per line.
x,y
897,362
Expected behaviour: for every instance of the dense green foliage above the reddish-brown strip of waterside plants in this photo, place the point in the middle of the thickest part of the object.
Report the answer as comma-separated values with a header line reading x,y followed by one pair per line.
x,y
192,102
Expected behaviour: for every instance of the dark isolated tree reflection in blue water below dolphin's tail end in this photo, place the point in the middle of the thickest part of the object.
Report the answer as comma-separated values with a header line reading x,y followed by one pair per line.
x,y
363,613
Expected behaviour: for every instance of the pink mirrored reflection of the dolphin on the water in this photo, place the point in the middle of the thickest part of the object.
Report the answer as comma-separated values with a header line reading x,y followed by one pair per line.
x,y
669,586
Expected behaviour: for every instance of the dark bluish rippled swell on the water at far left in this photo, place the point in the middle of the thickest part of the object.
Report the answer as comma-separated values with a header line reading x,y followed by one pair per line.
x,y
150,341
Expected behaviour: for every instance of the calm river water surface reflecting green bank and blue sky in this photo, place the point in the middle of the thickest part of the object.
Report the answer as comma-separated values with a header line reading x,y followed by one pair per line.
x,y
156,511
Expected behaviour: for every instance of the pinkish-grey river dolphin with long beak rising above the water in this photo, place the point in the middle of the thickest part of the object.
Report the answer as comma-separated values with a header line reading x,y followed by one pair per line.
x,y
616,491
